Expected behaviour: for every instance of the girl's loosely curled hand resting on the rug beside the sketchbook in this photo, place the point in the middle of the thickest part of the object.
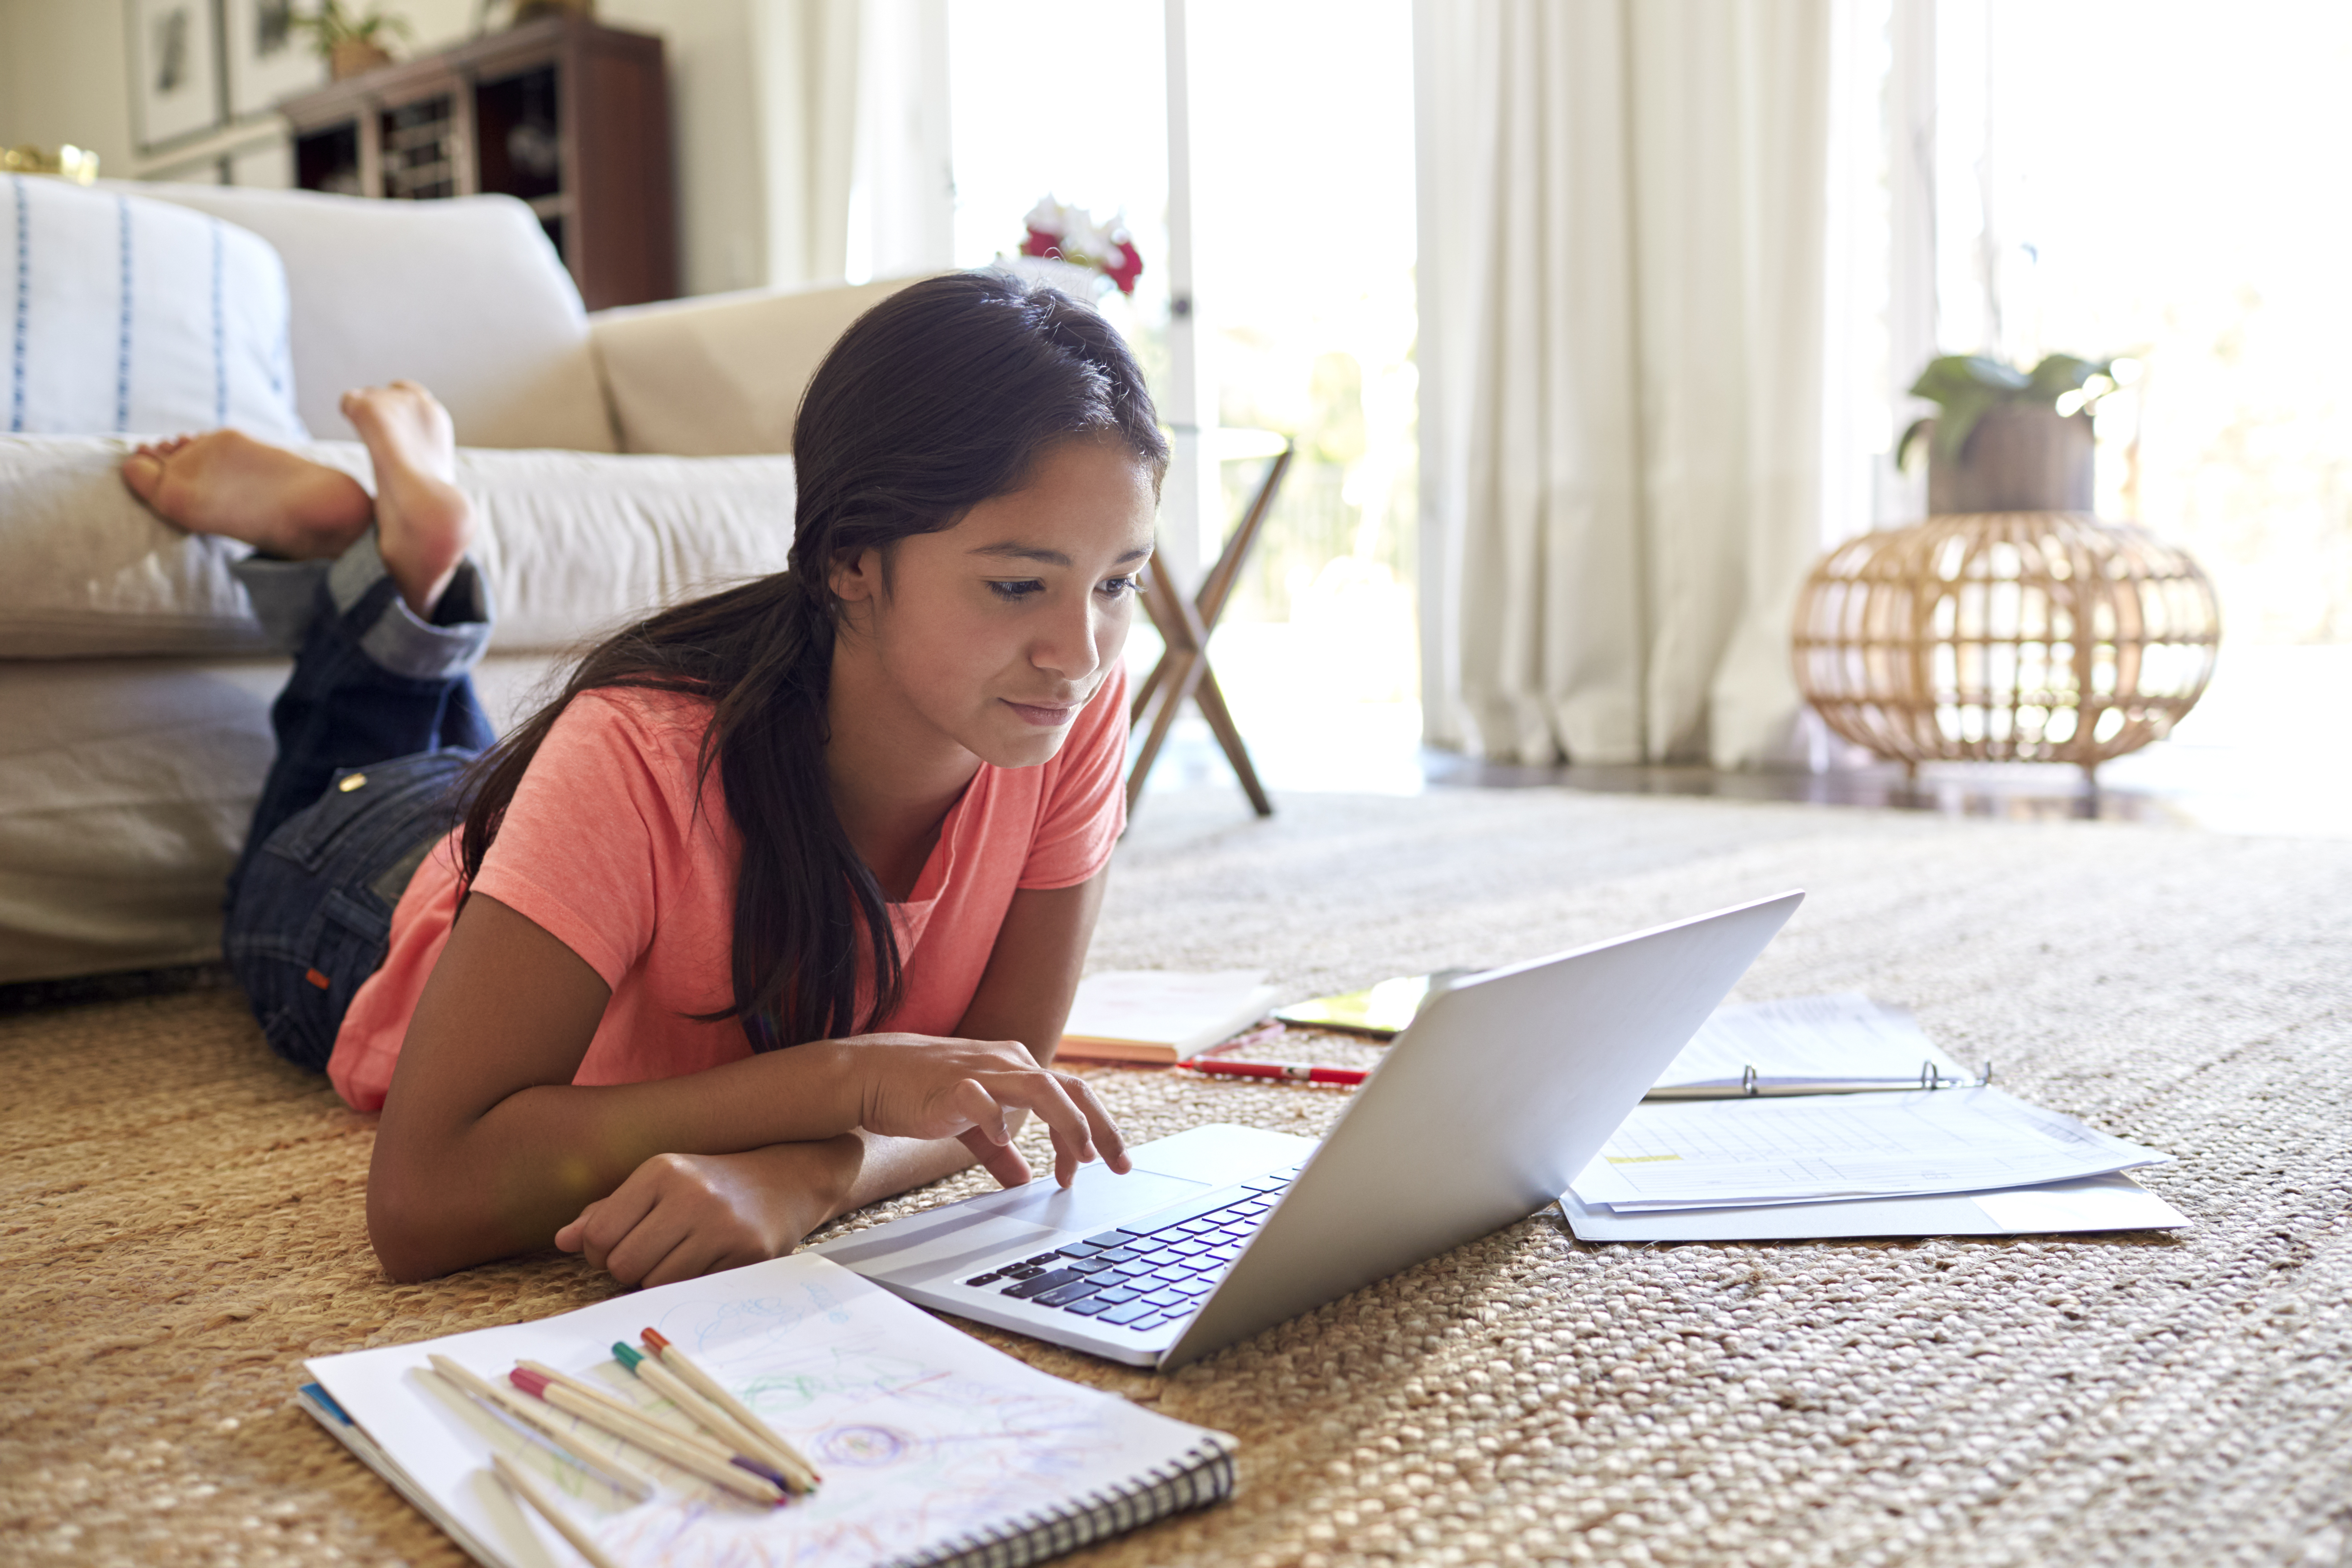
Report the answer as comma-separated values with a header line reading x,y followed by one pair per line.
x,y
681,1217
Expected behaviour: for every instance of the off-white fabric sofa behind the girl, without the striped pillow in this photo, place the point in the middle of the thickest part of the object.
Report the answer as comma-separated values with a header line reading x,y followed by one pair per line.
x,y
622,460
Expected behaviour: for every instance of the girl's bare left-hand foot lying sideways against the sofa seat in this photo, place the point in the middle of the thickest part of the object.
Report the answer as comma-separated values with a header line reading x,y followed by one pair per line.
x,y
232,485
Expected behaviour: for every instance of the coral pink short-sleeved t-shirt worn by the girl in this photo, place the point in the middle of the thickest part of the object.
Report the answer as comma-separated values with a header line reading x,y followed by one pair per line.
x,y
606,852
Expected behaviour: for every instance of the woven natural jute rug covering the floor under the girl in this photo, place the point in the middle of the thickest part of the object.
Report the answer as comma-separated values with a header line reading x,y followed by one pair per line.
x,y
185,1224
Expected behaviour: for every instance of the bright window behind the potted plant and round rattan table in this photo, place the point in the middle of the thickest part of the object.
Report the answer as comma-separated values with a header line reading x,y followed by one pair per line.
x,y
2151,180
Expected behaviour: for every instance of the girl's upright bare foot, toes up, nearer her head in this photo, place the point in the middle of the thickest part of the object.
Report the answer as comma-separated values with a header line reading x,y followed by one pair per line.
x,y
425,521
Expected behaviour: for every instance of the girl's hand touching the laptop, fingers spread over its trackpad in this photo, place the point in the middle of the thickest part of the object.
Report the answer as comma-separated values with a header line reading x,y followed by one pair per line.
x,y
928,1087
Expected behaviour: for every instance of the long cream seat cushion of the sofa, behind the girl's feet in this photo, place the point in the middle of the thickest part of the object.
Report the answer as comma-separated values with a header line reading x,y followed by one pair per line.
x,y
573,542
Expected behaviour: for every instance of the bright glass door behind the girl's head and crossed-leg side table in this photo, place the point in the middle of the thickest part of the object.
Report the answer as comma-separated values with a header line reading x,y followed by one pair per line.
x,y
1302,250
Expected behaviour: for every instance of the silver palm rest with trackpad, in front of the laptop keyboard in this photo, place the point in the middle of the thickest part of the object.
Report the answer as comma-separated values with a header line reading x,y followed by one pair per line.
x,y
980,1228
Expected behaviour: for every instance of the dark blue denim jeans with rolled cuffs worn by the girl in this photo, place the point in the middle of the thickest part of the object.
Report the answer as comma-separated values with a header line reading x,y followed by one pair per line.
x,y
375,728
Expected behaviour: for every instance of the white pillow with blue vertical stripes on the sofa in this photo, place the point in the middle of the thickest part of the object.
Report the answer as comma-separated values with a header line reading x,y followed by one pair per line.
x,y
121,314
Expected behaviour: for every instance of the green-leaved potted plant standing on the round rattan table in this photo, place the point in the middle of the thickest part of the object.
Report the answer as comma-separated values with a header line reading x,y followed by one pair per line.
x,y
2010,441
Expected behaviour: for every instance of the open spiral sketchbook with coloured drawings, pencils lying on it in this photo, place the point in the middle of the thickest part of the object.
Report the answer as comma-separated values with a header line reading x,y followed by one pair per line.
x,y
935,1449
